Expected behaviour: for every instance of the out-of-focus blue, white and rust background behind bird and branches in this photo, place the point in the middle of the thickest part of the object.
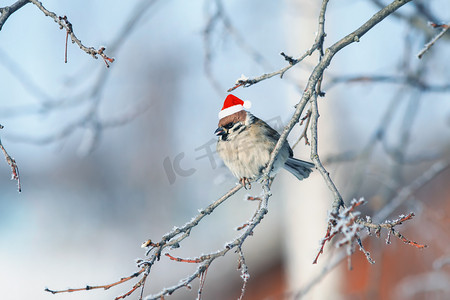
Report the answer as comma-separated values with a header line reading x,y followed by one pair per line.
x,y
109,158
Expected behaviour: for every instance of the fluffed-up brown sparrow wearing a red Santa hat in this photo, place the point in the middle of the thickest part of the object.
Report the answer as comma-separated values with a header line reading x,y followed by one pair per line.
x,y
246,142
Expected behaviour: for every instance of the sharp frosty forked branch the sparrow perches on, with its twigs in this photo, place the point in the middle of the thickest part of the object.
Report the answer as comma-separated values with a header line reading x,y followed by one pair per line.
x,y
343,220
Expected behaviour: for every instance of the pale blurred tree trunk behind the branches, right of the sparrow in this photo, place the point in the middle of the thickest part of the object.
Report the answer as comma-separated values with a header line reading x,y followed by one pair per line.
x,y
308,201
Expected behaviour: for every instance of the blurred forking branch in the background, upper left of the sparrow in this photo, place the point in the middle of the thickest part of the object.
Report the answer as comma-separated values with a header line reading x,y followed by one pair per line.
x,y
92,95
